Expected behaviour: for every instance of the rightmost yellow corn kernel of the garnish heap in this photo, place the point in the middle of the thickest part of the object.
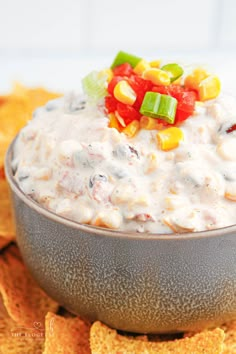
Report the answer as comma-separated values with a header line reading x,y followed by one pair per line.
x,y
209,88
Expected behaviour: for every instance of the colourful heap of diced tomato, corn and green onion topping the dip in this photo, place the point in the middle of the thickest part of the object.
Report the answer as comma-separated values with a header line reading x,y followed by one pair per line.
x,y
139,94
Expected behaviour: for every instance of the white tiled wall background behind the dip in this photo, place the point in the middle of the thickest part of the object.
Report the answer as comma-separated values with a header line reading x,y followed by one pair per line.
x,y
55,43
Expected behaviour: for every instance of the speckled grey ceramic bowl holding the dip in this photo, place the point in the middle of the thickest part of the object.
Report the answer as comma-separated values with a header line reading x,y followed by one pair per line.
x,y
146,283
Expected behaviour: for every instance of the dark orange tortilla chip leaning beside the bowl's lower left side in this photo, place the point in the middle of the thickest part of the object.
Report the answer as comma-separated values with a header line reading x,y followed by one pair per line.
x,y
25,302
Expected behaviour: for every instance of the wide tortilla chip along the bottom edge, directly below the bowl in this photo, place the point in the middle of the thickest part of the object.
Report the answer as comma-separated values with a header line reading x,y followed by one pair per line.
x,y
106,340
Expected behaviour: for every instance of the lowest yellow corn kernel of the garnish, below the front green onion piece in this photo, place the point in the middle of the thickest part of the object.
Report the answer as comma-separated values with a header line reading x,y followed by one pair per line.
x,y
169,138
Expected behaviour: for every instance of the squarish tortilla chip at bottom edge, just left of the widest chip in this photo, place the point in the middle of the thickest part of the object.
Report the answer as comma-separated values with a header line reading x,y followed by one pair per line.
x,y
66,335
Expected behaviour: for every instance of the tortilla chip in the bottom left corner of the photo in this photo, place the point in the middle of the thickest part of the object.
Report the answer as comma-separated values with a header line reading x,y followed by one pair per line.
x,y
18,340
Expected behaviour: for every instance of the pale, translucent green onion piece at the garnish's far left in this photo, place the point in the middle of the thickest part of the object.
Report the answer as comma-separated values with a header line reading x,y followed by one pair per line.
x,y
94,85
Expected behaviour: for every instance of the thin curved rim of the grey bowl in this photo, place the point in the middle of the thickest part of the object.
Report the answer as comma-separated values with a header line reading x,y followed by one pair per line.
x,y
105,232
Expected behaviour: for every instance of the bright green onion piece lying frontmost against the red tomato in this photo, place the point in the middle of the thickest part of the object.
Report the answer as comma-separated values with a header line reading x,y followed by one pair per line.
x,y
160,106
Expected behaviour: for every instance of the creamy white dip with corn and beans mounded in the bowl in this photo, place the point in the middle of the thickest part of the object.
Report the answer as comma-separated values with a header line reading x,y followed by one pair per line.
x,y
72,163
